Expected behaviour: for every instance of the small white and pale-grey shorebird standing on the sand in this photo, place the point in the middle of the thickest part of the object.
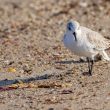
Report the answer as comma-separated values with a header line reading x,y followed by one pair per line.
x,y
85,42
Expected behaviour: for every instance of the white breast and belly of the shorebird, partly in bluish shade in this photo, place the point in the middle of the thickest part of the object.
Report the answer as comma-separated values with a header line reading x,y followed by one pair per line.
x,y
79,47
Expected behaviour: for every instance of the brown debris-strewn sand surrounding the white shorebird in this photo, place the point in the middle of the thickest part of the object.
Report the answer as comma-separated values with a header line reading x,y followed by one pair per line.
x,y
31,45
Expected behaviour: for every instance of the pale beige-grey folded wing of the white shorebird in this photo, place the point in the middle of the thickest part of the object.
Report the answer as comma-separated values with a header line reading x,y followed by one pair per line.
x,y
96,39
